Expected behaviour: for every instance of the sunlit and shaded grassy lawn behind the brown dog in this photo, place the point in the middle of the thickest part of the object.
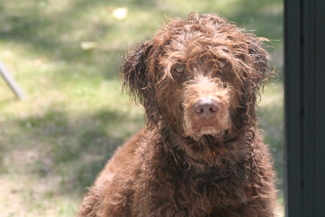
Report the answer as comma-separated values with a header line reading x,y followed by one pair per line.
x,y
55,141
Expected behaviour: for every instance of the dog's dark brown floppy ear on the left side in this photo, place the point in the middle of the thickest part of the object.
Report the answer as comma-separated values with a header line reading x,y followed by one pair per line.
x,y
137,74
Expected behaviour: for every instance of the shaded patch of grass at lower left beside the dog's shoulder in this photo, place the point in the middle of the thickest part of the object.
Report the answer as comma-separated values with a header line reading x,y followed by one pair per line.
x,y
69,149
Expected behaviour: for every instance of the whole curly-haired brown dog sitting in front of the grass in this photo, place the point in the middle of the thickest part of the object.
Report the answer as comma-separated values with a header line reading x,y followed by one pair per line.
x,y
200,153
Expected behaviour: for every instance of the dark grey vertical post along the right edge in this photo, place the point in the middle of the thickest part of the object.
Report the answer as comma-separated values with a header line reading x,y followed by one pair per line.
x,y
305,107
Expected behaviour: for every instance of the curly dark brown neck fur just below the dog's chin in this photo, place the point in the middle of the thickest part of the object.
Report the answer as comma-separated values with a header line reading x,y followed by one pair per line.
x,y
204,151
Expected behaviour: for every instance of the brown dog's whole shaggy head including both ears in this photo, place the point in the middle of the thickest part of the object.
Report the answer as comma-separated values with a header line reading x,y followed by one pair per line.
x,y
201,75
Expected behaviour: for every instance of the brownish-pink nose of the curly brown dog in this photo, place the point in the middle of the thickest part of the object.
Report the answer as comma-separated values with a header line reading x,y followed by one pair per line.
x,y
206,108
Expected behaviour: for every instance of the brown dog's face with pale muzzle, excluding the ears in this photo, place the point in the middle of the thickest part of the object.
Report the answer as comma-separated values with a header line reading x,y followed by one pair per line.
x,y
198,87
